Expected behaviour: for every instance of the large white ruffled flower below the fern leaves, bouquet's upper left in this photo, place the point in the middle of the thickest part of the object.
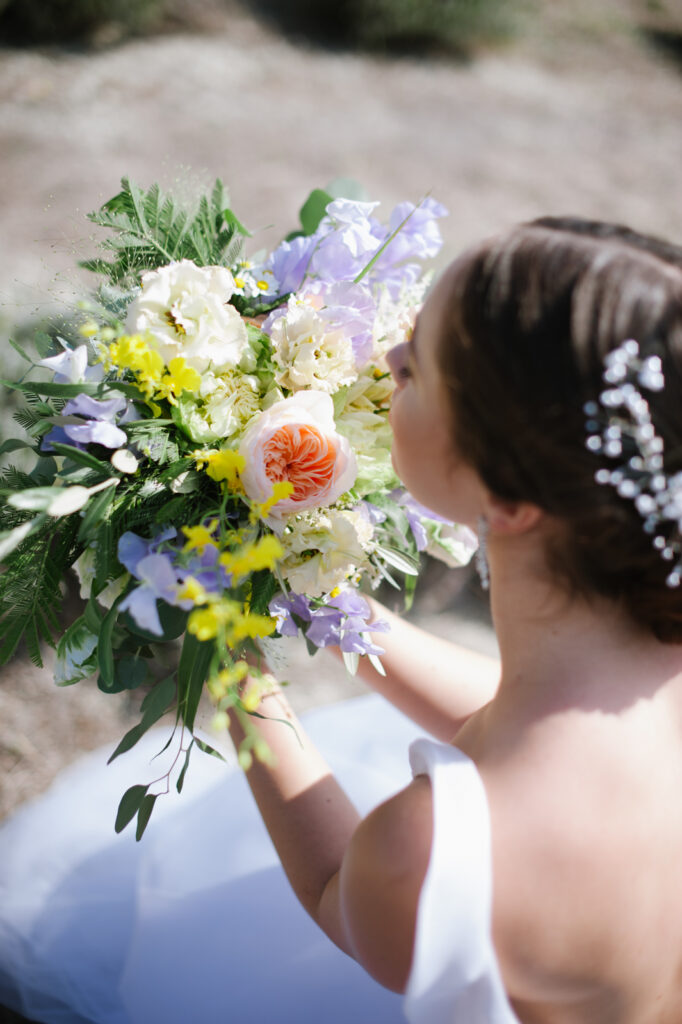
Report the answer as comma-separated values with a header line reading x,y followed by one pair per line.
x,y
186,310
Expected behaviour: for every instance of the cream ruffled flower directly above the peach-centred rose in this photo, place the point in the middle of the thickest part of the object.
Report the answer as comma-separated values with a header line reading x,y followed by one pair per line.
x,y
309,354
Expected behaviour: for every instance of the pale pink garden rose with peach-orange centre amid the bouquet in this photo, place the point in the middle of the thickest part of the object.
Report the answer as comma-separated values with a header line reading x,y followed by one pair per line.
x,y
296,441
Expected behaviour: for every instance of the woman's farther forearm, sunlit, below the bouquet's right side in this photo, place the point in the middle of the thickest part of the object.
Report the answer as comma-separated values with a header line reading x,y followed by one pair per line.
x,y
437,684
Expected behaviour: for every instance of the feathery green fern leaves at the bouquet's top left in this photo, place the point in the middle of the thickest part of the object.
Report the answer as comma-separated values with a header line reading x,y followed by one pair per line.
x,y
150,230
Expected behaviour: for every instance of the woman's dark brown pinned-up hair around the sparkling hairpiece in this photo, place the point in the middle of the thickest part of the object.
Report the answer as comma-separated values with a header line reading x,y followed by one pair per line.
x,y
531,318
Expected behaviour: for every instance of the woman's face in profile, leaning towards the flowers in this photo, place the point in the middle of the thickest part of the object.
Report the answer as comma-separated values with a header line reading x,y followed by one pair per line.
x,y
424,453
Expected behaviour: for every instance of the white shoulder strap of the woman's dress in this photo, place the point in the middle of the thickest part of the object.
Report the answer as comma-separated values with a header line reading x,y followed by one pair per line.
x,y
455,977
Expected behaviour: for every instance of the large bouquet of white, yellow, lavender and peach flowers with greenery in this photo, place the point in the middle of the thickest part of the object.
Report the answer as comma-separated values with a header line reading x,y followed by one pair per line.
x,y
214,455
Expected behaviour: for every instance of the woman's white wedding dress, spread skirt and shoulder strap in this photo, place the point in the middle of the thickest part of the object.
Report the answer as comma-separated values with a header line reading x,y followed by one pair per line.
x,y
197,922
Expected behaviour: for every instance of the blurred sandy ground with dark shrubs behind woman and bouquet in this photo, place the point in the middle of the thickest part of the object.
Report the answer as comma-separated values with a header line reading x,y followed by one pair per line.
x,y
503,110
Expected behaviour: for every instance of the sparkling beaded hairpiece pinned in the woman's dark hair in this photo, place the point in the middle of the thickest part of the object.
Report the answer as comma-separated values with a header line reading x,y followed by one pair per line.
x,y
627,434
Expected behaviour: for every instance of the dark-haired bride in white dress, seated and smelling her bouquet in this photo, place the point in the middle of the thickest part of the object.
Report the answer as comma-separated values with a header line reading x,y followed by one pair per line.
x,y
532,870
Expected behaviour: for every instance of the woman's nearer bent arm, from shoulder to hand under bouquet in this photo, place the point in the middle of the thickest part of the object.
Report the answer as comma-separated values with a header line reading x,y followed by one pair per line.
x,y
359,880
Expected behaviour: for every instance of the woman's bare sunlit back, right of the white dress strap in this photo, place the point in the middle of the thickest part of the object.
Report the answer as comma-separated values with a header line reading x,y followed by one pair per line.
x,y
587,854
